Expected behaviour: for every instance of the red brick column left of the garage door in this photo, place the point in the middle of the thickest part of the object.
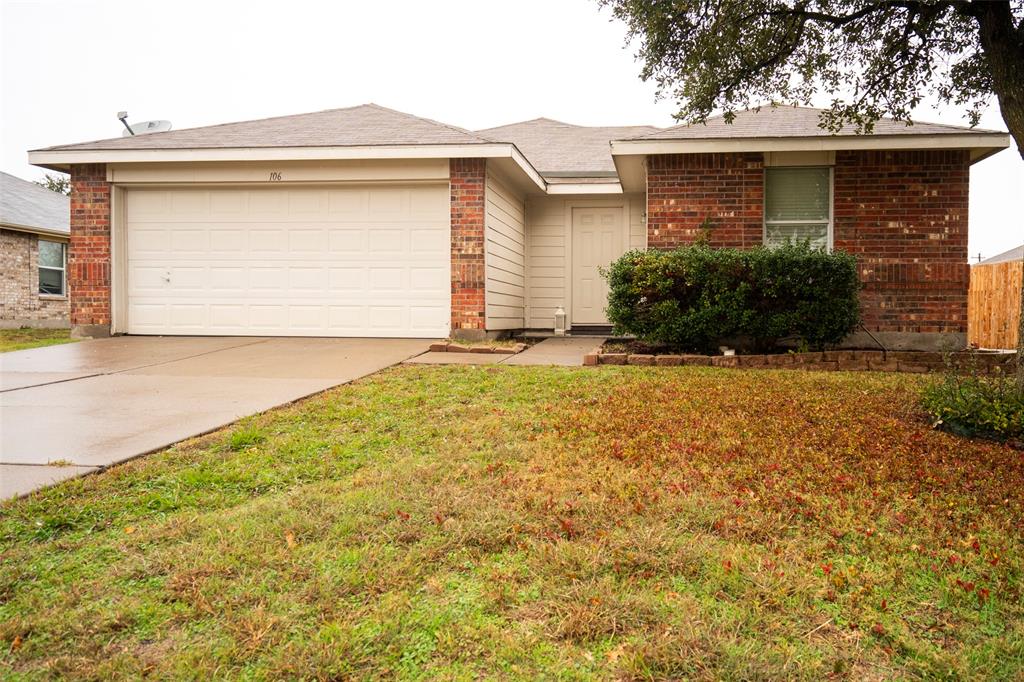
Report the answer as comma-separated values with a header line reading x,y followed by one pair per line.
x,y
90,253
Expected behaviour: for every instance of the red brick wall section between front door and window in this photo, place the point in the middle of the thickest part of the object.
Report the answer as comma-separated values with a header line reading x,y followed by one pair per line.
x,y
684,191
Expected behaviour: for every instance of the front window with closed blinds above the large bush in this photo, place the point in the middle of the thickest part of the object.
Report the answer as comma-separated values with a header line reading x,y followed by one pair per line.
x,y
798,206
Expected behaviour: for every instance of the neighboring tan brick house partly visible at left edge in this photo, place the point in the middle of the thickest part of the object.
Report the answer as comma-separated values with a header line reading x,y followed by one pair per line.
x,y
34,231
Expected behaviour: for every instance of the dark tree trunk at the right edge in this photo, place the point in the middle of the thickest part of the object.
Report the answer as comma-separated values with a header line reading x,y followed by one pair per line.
x,y
1003,46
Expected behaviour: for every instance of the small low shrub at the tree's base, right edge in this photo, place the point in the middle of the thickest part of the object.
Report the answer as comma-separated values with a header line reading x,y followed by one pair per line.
x,y
971,405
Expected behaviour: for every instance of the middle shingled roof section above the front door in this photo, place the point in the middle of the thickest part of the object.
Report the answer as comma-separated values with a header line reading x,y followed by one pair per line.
x,y
553,147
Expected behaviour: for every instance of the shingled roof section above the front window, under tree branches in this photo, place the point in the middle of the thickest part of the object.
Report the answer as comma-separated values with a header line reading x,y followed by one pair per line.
x,y
785,121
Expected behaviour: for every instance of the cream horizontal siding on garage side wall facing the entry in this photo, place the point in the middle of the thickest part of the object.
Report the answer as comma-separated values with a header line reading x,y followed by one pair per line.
x,y
506,269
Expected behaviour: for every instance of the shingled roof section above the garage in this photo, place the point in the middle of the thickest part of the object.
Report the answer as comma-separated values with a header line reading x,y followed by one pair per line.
x,y
355,126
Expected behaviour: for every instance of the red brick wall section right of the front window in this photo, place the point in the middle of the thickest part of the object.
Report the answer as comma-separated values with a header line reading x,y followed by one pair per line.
x,y
905,215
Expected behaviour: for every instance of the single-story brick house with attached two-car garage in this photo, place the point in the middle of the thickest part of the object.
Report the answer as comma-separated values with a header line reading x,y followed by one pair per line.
x,y
367,222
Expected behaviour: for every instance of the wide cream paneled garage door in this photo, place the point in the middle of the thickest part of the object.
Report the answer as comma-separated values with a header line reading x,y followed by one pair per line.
x,y
298,262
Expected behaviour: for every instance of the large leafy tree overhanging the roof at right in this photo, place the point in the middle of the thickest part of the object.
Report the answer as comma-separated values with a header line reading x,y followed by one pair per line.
x,y
874,58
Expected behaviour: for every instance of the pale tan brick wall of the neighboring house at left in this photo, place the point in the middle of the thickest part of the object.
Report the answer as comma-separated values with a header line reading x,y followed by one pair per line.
x,y
21,304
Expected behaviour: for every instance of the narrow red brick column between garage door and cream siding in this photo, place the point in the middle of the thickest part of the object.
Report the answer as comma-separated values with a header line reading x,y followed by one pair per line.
x,y
468,273
